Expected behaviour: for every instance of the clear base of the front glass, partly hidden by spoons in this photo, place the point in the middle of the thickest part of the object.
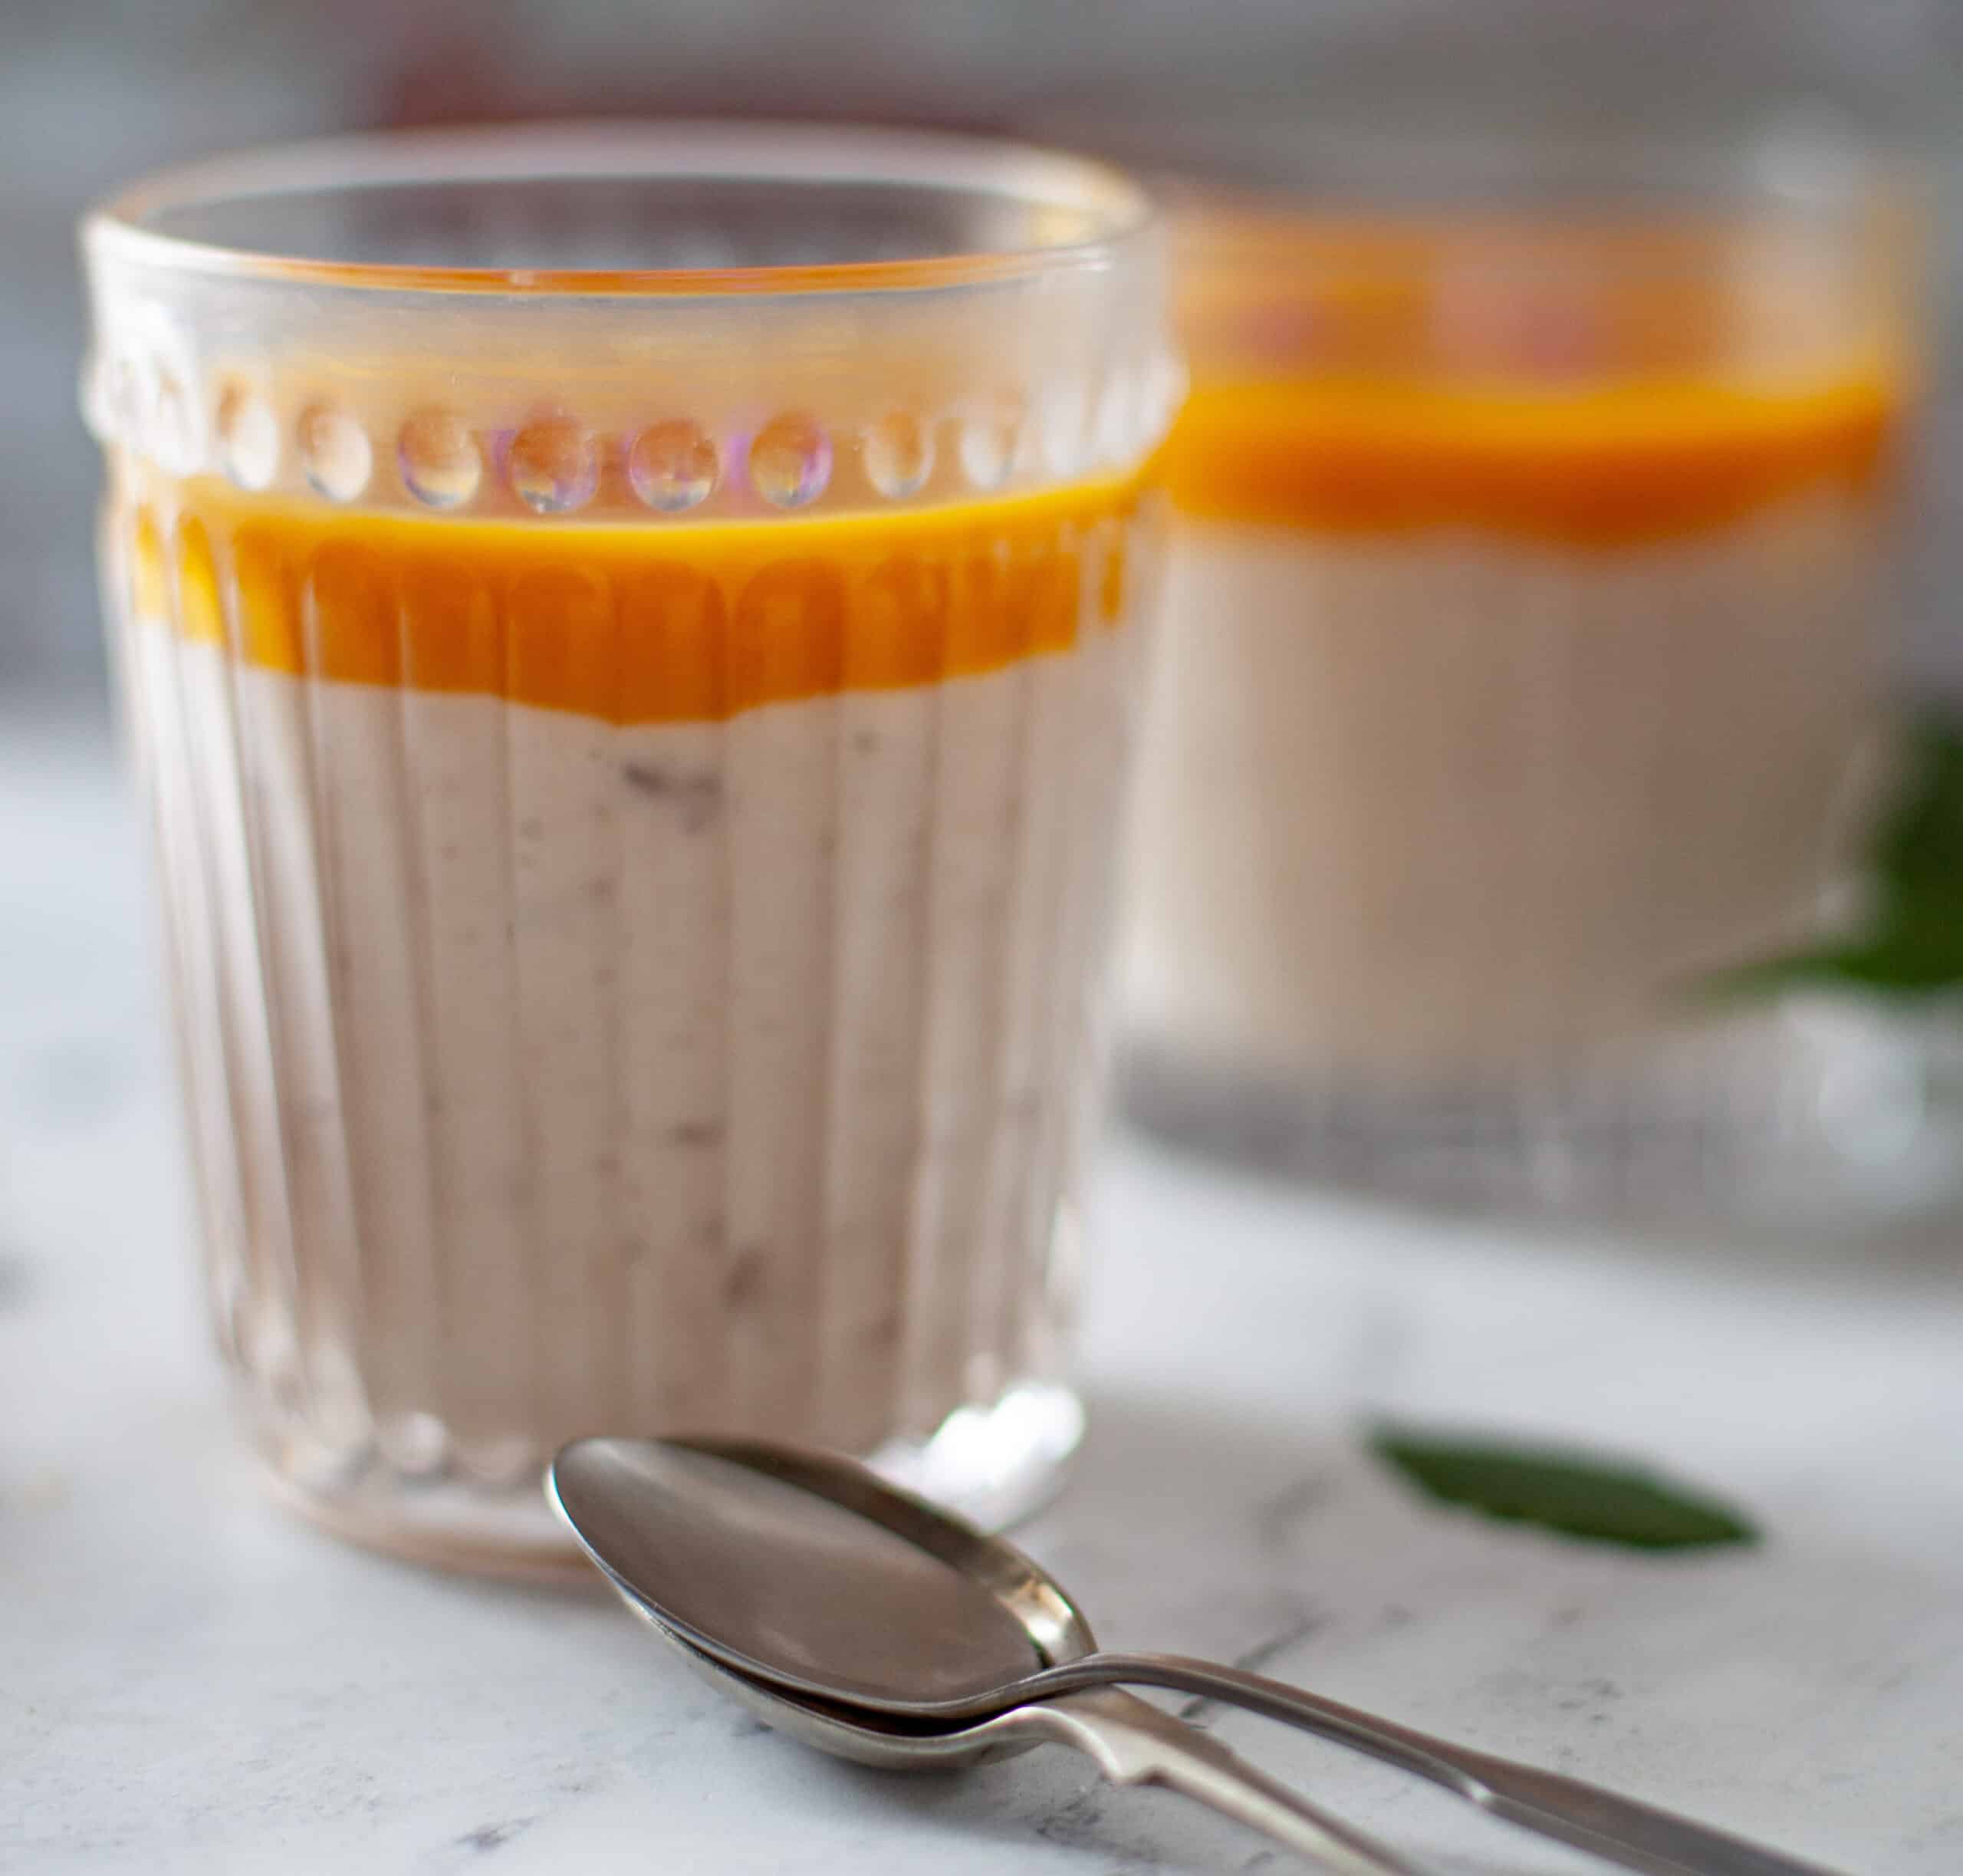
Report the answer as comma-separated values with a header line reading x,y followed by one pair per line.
x,y
992,1464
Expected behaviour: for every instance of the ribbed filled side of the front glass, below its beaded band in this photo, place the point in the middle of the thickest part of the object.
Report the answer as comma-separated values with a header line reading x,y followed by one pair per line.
x,y
553,1070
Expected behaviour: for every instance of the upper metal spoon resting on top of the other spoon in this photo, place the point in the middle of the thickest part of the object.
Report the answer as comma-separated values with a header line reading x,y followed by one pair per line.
x,y
810,1574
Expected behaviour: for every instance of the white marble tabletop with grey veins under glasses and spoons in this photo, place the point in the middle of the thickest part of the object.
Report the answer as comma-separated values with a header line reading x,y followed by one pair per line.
x,y
191,1683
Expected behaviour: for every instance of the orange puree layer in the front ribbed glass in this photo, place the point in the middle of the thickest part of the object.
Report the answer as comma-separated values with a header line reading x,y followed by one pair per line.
x,y
633,622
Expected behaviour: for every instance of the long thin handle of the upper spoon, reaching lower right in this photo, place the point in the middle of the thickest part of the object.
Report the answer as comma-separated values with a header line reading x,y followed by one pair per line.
x,y
1591,1818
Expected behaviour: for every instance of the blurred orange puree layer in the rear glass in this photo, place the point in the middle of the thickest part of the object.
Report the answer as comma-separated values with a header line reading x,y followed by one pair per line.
x,y
1597,469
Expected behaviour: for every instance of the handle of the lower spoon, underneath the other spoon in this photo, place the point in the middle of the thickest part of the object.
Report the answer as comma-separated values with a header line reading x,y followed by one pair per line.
x,y
1136,1743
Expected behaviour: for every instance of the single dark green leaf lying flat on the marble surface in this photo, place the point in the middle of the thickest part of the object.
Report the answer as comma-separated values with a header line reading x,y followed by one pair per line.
x,y
1573,1494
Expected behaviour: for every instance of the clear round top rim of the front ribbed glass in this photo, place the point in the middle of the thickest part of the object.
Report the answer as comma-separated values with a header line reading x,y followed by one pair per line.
x,y
1122,211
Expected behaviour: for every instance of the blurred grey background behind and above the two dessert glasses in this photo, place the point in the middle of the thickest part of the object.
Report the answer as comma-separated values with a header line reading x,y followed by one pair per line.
x,y
95,93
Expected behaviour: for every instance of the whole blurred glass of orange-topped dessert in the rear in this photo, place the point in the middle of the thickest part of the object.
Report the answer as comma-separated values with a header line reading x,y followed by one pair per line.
x,y
1524,651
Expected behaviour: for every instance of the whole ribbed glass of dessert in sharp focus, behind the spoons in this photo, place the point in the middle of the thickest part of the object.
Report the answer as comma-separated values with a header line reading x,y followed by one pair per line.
x,y
631,643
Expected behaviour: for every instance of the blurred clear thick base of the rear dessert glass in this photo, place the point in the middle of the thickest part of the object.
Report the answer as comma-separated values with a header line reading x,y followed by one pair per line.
x,y
1815,1115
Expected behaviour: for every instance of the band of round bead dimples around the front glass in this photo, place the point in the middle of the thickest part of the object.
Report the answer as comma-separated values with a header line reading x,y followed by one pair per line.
x,y
551,463
